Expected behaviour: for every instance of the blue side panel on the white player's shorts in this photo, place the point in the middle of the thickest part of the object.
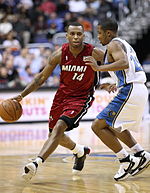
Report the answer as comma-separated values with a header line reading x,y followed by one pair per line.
x,y
111,112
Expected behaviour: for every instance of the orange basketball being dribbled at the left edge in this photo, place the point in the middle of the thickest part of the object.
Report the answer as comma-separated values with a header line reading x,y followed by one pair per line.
x,y
10,110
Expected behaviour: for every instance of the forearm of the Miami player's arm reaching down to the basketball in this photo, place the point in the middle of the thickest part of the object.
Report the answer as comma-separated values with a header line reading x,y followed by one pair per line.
x,y
34,85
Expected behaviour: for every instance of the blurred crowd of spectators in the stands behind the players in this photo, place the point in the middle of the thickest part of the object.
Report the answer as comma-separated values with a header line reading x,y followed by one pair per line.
x,y
23,22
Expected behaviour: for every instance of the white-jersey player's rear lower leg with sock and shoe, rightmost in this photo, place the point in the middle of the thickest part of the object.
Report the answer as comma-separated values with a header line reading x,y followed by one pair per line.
x,y
126,137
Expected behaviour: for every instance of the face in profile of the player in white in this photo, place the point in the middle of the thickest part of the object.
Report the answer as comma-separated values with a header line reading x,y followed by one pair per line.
x,y
103,36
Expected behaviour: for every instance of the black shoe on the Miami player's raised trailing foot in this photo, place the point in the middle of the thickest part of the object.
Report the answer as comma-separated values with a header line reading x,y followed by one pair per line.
x,y
79,161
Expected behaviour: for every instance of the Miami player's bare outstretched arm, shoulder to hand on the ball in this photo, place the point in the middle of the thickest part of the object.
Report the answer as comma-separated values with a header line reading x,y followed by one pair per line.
x,y
41,77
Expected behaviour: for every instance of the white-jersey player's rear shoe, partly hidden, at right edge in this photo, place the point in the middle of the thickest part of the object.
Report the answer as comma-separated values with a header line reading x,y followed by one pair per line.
x,y
144,162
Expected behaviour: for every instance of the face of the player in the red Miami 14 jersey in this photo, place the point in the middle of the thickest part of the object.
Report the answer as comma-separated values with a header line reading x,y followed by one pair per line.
x,y
75,36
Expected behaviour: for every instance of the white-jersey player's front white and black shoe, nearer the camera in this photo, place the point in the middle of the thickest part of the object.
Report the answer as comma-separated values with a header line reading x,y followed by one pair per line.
x,y
127,164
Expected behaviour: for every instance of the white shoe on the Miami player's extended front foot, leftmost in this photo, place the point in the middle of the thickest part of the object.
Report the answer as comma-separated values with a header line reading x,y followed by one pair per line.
x,y
29,171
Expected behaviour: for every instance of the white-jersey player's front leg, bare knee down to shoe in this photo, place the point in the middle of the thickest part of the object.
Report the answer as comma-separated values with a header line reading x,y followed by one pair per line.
x,y
127,162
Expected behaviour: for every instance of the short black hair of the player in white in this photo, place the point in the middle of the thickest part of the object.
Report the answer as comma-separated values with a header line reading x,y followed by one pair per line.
x,y
109,24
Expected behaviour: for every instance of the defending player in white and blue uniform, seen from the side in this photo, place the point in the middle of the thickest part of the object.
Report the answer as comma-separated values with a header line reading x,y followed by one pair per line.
x,y
125,111
